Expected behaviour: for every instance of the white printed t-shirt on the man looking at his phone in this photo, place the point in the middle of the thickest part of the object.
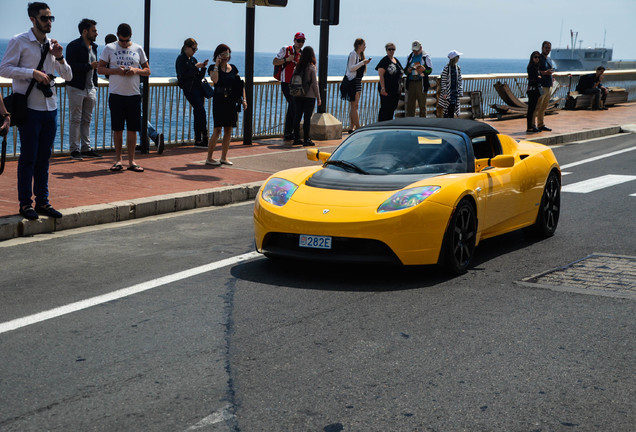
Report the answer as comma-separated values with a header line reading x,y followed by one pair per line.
x,y
115,56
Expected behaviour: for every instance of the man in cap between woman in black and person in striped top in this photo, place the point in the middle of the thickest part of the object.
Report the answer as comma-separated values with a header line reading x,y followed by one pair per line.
x,y
418,67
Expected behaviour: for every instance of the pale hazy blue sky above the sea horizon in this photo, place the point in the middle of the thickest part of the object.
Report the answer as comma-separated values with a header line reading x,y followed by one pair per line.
x,y
494,29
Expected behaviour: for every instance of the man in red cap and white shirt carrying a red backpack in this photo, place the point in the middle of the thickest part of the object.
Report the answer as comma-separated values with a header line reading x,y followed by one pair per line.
x,y
284,64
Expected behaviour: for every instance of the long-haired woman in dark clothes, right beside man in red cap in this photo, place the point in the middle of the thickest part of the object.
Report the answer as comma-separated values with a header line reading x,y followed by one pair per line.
x,y
304,88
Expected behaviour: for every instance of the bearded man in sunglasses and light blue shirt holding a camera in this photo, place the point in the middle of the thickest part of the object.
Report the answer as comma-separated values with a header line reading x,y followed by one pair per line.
x,y
38,131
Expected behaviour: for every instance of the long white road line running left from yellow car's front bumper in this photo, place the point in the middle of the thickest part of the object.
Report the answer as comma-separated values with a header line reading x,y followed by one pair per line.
x,y
124,292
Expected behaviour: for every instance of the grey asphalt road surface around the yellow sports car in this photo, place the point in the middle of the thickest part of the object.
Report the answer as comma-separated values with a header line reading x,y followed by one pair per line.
x,y
194,342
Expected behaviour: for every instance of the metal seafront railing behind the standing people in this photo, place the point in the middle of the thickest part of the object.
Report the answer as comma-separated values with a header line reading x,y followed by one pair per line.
x,y
170,113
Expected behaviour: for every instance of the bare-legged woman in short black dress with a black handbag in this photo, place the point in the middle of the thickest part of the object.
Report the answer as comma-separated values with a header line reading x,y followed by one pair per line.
x,y
229,92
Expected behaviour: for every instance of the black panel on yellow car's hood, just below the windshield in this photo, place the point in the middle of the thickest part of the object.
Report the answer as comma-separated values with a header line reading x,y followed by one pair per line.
x,y
329,178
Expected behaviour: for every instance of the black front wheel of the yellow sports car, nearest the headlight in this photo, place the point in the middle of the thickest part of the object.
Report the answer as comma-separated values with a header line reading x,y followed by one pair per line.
x,y
460,238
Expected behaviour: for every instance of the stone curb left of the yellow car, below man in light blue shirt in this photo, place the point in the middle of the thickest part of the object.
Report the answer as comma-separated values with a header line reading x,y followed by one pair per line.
x,y
77,217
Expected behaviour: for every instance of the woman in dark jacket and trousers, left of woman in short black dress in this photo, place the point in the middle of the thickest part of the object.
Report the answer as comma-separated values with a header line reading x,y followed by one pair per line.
x,y
190,75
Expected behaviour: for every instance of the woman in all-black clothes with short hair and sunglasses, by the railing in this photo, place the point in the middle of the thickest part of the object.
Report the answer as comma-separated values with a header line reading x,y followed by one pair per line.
x,y
391,72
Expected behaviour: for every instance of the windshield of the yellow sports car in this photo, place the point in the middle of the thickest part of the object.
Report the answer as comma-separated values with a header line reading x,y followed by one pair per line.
x,y
401,151
